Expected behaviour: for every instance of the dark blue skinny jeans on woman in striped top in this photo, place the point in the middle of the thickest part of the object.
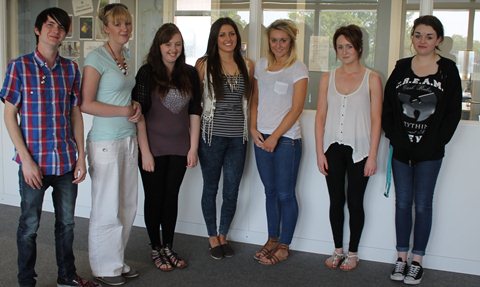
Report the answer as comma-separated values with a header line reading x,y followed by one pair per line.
x,y
227,154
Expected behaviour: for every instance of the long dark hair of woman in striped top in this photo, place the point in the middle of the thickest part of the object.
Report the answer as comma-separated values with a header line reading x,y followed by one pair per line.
x,y
214,66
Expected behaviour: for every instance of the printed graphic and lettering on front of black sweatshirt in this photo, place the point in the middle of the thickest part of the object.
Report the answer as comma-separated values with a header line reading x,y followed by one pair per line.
x,y
419,98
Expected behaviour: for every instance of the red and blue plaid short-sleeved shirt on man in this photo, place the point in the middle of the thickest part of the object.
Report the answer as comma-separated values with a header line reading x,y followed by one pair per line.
x,y
44,98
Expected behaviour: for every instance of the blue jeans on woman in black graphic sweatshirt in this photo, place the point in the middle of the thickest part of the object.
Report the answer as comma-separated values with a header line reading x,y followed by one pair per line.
x,y
414,184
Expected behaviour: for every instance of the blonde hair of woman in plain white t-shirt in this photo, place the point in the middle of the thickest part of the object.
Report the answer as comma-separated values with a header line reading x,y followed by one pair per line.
x,y
289,27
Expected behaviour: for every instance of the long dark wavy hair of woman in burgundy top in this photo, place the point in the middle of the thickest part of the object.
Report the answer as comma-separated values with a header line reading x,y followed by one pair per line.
x,y
180,77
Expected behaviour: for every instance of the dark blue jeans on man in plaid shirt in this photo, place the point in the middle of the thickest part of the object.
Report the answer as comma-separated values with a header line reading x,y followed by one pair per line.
x,y
64,196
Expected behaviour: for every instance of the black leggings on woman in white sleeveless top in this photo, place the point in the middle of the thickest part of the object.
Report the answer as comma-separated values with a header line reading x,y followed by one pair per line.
x,y
339,158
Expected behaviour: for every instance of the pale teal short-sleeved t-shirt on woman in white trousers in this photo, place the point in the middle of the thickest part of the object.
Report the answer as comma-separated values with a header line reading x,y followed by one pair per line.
x,y
114,88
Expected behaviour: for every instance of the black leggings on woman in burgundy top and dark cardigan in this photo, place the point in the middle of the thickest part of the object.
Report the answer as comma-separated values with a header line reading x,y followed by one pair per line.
x,y
161,197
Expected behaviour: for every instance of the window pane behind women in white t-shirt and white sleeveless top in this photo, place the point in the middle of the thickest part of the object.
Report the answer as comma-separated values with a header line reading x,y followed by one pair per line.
x,y
317,22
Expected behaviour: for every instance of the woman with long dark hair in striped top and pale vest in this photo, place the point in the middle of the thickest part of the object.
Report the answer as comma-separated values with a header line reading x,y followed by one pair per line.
x,y
226,78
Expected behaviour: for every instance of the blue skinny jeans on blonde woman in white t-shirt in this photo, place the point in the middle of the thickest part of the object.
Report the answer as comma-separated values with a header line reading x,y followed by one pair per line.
x,y
278,171
